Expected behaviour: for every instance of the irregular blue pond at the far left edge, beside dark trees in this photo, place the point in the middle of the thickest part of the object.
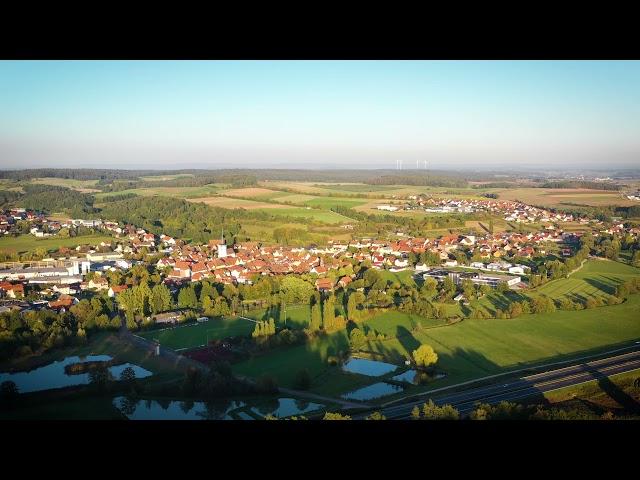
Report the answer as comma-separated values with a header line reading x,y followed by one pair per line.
x,y
53,375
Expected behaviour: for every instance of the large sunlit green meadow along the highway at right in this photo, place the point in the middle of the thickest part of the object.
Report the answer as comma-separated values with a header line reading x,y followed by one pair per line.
x,y
475,348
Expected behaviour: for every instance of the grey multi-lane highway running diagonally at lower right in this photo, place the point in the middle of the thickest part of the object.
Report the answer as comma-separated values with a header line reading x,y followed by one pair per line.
x,y
523,387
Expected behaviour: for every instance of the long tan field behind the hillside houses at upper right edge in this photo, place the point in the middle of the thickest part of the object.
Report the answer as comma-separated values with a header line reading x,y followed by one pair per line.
x,y
555,197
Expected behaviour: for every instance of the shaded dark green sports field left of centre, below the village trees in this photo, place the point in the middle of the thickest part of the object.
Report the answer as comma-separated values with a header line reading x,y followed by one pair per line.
x,y
196,335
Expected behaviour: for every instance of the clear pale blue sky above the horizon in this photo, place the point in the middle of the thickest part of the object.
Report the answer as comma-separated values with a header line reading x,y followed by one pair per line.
x,y
319,114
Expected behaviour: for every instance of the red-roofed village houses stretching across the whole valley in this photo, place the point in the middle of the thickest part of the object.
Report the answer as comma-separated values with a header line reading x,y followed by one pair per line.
x,y
490,259
